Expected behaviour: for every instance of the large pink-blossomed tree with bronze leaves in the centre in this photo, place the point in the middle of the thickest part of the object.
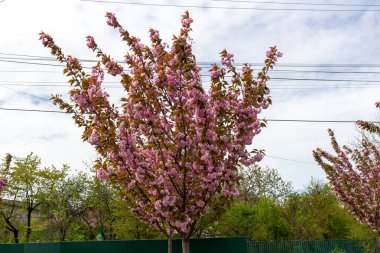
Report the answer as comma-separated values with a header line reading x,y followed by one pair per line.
x,y
173,147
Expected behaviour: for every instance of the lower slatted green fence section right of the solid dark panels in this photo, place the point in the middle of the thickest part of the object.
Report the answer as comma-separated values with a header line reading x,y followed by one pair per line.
x,y
304,246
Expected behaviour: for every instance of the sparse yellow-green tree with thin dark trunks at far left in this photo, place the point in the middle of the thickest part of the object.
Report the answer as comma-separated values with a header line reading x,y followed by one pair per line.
x,y
28,187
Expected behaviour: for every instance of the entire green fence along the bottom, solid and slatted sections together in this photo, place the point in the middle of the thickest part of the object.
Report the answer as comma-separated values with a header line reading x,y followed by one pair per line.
x,y
214,245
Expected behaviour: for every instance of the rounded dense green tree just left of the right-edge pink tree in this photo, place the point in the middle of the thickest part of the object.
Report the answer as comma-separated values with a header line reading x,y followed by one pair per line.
x,y
316,214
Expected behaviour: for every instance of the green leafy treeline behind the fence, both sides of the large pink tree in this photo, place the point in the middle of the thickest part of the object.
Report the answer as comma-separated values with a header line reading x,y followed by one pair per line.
x,y
51,204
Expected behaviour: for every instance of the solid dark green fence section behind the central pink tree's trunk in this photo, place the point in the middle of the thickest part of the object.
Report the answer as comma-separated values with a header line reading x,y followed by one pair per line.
x,y
214,245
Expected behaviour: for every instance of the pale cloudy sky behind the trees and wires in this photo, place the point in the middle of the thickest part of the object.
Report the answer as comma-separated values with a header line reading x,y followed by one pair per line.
x,y
347,40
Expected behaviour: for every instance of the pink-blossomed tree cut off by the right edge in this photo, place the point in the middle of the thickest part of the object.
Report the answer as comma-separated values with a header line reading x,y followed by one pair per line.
x,y
354,175
